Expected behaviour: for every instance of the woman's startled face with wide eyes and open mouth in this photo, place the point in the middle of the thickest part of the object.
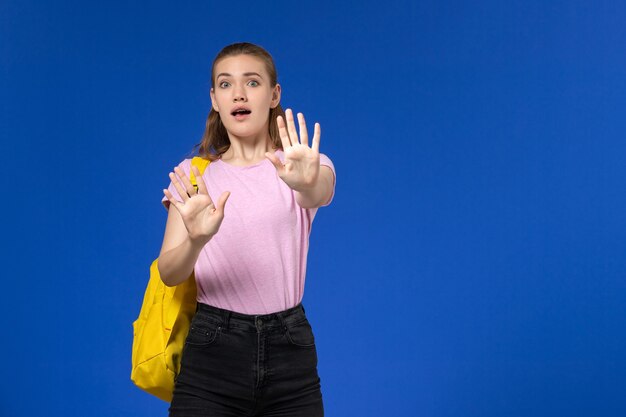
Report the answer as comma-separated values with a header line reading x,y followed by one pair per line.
x,y
242,82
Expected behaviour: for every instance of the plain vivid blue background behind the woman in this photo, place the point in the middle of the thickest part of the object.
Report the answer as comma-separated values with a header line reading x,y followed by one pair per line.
x,y
472,262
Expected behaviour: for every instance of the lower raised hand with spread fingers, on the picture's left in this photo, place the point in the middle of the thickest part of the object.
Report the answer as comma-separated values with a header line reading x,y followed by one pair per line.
x,y
201,217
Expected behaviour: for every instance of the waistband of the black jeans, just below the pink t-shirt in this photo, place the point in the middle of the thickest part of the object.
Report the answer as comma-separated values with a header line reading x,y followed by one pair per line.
x,y
251,321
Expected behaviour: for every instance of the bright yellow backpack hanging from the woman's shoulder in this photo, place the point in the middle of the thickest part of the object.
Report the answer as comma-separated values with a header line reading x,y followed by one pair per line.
x,y
160,331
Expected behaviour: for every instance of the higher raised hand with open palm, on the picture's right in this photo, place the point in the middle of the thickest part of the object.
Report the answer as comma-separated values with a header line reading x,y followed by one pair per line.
x,y
302,163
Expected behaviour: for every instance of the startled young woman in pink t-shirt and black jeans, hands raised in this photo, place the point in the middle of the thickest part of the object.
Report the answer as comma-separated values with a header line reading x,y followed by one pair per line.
x,y
250,349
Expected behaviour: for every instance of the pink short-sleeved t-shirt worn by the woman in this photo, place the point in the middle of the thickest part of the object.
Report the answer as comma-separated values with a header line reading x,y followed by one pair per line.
x,y
256,263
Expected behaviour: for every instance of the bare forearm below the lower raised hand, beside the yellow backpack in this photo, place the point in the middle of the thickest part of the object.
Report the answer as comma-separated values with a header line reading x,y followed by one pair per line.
x,y
176,265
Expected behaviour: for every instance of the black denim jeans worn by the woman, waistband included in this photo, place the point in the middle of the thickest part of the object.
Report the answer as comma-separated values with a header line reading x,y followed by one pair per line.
x,y
237,364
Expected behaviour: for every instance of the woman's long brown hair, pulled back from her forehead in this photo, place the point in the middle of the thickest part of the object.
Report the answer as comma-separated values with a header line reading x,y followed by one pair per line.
x,y
215,139
